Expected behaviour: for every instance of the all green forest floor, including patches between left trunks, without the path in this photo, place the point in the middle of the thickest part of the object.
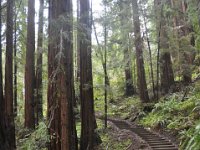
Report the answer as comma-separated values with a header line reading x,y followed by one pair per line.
x,y
176,116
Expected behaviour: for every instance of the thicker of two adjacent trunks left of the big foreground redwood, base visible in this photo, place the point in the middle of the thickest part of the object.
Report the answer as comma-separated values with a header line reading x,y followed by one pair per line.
x,y
30,68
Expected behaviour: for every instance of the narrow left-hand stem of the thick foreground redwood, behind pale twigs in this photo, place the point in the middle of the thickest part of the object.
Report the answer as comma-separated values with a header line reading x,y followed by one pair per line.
x,y
53,103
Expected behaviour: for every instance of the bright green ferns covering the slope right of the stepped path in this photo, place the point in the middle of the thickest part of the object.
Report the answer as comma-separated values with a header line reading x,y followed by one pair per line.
x,y
178,116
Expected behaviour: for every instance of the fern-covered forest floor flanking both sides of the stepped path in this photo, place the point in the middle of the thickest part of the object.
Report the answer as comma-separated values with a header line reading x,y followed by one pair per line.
x,y
175,116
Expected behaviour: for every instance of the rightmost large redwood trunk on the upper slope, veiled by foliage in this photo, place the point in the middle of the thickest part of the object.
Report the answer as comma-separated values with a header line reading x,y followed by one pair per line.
x,y
186,49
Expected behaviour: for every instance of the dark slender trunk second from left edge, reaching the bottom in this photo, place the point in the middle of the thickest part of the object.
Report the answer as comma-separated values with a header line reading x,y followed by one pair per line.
x,y
9,78
